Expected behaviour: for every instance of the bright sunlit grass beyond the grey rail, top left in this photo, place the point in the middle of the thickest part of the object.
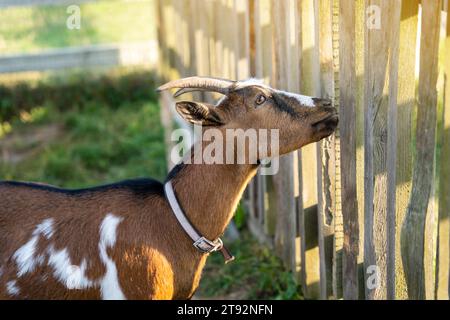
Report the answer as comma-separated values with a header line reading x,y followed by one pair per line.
x,y
25,29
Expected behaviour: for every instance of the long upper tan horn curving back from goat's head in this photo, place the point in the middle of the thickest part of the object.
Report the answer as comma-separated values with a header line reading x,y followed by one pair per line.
x,y
189,84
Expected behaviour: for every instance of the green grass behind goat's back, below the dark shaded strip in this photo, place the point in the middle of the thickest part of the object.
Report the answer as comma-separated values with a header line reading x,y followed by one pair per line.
x,y
95,145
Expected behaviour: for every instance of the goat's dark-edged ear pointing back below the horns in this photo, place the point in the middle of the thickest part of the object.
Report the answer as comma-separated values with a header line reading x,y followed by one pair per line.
x,y
199,113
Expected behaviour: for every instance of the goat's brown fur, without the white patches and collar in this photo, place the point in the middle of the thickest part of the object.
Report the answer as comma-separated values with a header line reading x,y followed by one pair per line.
x,y
154,257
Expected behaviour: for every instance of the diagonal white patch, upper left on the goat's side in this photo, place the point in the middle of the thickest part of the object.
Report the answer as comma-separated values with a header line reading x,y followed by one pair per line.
x,y
24,256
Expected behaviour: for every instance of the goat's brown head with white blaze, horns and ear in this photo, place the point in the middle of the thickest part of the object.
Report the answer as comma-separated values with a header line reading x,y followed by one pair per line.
x,y
252,105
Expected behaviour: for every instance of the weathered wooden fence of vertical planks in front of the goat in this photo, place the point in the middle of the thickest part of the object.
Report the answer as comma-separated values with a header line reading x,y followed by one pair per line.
x,y
363,214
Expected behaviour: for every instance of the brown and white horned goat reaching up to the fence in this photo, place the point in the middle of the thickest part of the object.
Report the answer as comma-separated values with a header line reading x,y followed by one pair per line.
x,y
122,240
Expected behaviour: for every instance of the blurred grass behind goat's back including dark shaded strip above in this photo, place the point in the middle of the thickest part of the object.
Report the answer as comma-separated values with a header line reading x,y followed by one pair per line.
x,y
111,134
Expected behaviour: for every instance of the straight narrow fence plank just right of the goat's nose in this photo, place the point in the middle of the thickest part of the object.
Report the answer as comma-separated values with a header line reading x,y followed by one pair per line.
x,y
347,80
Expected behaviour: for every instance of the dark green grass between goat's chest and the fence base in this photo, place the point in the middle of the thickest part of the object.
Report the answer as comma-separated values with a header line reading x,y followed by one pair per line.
x,y
256,273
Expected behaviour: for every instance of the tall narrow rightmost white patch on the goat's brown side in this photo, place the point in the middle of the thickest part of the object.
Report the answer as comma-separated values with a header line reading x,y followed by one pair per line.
x,y
110,287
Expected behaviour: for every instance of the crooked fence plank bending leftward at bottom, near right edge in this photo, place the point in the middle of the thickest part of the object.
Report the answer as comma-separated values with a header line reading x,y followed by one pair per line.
x,y
413,231
